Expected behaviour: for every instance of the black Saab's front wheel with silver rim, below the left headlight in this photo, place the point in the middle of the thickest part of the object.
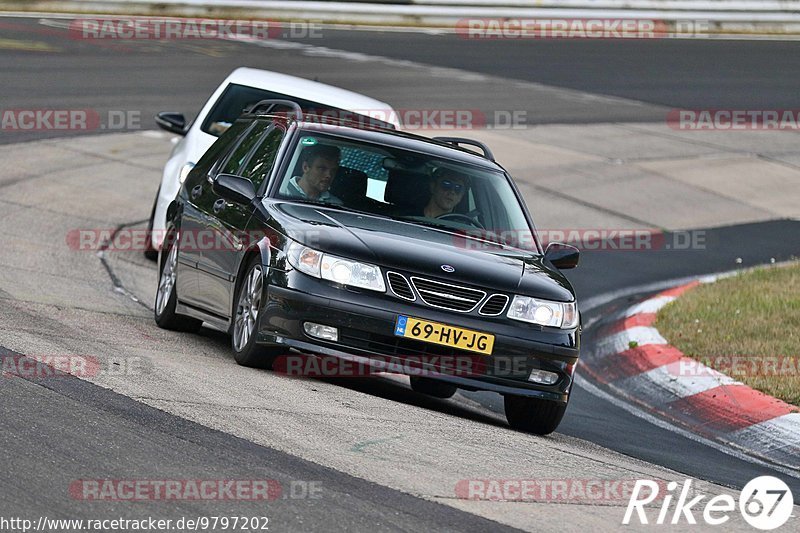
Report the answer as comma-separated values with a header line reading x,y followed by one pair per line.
x,y
245,322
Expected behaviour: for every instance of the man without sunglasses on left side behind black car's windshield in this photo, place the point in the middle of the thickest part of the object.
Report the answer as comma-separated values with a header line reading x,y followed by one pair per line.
x,y
320,163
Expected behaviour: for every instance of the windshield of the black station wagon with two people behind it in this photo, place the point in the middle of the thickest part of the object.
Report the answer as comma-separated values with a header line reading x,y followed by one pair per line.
x,y
414,187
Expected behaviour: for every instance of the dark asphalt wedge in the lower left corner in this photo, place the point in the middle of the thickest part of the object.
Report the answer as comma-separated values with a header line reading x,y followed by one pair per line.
x,y
94,425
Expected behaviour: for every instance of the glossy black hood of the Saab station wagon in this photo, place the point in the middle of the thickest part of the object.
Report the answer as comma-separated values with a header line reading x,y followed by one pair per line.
x,y
415,249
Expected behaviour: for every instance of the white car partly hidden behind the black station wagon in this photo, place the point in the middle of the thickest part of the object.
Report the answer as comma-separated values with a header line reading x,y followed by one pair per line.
x,y
243,88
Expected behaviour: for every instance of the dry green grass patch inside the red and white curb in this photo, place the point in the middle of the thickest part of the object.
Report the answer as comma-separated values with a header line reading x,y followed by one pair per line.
x,y
753,319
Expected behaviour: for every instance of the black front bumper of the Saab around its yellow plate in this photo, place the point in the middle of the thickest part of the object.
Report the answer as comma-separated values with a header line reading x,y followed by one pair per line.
x,y
366,323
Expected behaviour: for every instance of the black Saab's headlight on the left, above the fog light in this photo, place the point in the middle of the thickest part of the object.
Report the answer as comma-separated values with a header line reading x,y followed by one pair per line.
x,y
333,268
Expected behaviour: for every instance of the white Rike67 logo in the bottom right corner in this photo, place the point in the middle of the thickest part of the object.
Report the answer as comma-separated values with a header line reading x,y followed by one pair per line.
x,y
765,503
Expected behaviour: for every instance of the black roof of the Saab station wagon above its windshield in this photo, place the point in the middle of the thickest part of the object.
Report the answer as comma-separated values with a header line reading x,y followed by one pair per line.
x,y
399,139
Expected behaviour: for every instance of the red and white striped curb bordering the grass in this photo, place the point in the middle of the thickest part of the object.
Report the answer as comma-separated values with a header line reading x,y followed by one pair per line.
x,y
637,363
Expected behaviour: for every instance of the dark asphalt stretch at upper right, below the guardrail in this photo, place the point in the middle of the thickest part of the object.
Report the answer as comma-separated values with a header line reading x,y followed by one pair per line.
x,y
669,72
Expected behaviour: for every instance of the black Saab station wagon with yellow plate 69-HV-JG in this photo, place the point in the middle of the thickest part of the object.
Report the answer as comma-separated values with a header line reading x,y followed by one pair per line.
x,y
336,239
